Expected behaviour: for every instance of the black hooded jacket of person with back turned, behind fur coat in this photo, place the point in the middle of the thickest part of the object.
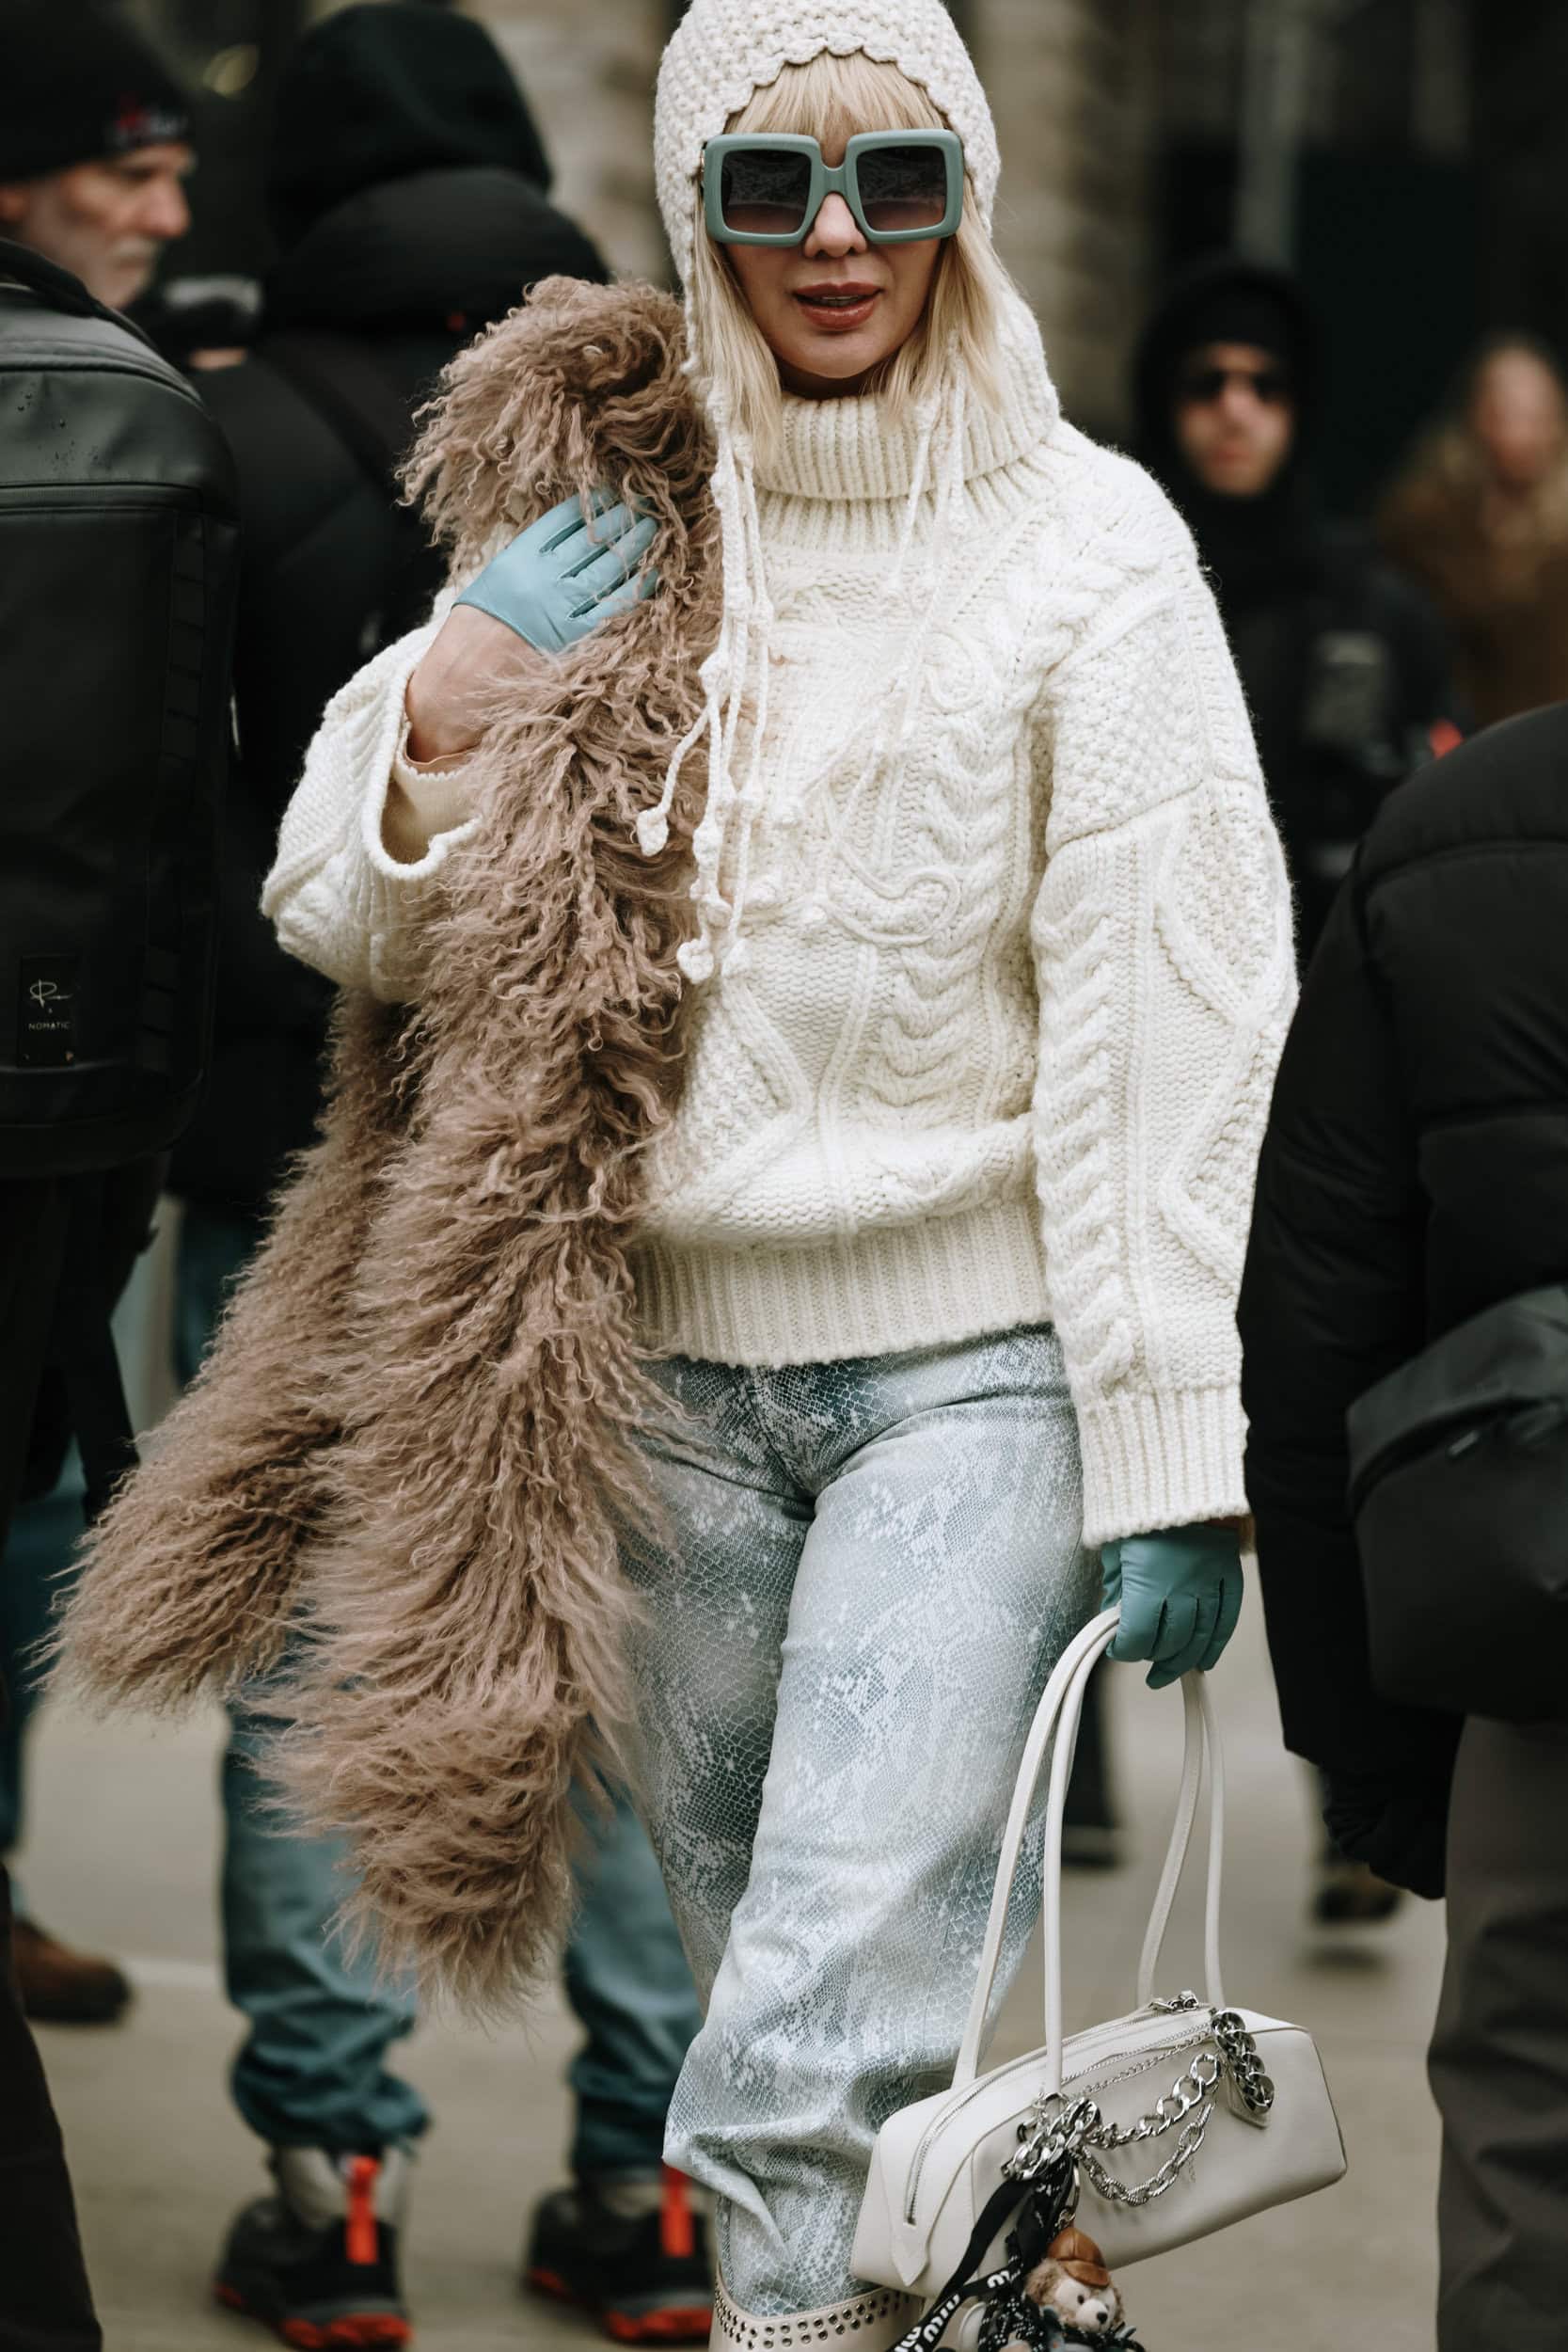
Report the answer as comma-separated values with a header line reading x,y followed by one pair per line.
x,y
408,185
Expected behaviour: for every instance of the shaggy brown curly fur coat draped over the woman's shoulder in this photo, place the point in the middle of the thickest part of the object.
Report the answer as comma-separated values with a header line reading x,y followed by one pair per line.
x,y
415,1431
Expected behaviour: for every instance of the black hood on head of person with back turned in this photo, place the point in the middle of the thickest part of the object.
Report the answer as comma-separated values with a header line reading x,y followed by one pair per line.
x,y
382,91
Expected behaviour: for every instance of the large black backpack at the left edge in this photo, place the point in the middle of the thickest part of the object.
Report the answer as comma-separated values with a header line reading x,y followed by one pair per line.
x,y
119,575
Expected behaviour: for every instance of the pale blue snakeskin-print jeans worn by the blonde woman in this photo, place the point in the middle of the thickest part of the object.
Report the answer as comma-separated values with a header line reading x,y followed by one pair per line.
x,y
864,1579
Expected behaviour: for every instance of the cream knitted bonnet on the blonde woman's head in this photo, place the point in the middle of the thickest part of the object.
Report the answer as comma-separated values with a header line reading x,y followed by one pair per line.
x,y
728,48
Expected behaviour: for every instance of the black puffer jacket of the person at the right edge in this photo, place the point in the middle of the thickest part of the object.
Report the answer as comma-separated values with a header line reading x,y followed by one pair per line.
x,y
1414,1172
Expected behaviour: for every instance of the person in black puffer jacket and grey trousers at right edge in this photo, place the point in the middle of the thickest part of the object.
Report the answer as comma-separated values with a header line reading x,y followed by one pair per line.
x,y
1416,1175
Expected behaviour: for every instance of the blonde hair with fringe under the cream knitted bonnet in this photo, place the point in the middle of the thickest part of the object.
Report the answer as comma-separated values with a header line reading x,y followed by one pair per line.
x,y
831,100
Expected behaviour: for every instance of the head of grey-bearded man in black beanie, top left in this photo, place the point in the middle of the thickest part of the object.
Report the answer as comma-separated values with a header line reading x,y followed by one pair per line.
x,y
93,145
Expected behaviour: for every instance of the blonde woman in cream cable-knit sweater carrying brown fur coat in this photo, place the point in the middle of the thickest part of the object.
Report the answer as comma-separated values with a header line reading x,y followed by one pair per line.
x,y
845,956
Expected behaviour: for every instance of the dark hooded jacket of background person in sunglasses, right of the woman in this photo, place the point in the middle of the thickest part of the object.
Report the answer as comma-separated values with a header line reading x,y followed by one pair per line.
x,y
1343,667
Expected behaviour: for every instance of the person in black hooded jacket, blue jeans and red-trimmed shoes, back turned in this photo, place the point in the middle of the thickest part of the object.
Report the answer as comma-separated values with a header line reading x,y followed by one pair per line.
x,y
410,199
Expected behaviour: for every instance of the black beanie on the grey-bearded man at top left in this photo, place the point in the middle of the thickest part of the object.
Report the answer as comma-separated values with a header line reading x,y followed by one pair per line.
x,y
79,86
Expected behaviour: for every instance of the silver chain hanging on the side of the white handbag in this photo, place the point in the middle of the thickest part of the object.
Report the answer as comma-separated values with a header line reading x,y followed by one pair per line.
x,y
1080,2130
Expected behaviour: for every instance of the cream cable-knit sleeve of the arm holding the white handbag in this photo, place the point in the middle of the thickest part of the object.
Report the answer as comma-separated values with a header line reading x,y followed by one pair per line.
x,y
1165,970
